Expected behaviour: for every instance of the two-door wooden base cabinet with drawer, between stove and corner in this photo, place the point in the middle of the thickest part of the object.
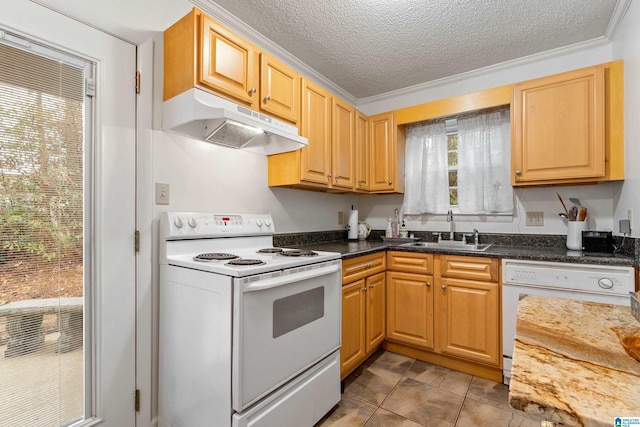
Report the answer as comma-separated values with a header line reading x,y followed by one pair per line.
x,y
363,309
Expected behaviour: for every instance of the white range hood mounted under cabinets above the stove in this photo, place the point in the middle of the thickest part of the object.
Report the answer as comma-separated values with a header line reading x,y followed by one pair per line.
x,y
208,117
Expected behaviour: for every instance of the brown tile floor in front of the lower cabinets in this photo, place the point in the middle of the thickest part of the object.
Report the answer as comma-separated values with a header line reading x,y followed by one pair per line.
x,y
391,390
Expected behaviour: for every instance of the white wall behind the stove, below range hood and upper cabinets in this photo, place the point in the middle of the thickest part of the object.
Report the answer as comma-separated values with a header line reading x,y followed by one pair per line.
x,y
209,178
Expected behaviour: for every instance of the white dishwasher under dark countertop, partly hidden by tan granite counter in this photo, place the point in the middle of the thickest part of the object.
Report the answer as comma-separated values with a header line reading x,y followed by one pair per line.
x,y
582,282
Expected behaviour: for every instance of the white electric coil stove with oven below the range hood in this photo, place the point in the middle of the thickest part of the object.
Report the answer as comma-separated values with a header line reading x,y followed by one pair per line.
x,y
249,334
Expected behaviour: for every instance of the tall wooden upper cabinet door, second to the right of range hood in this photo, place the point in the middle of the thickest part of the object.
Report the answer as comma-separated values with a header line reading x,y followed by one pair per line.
x,y
343,145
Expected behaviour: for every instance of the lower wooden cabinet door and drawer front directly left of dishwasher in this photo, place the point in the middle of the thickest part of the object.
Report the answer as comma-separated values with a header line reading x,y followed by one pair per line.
x,y
468,307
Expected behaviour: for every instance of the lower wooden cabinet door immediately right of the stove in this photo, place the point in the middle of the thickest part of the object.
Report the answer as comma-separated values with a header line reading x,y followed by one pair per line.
x,y
352,352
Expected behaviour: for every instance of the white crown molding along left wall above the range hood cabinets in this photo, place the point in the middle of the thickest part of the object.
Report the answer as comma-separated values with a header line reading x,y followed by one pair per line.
x,y
255,37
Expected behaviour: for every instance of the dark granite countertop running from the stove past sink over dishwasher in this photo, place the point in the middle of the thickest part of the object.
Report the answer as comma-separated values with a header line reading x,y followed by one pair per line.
x,y
550,254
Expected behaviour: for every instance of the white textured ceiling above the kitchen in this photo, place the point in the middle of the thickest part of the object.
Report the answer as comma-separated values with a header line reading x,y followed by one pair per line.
x,y
369,47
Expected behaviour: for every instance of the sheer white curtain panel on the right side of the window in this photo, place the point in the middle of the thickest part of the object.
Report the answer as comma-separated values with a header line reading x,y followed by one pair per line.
x,y
484,163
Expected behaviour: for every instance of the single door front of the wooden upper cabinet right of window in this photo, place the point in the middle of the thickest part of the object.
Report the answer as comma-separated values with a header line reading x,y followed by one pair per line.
x,y
558,127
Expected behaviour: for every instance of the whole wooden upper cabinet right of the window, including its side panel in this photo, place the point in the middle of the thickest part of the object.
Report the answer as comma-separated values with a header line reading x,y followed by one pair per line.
x,y
567,128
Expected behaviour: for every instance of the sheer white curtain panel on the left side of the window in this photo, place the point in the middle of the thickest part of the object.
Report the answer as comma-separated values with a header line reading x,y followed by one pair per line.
x,y
426,175
